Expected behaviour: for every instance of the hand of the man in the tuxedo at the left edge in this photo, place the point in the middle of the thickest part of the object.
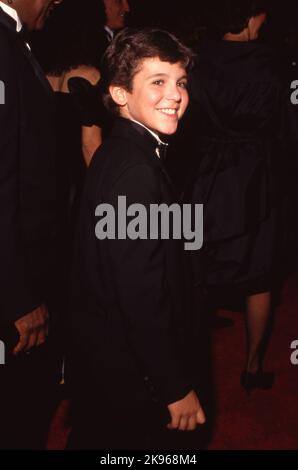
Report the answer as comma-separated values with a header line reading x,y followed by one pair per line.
x,y
33,329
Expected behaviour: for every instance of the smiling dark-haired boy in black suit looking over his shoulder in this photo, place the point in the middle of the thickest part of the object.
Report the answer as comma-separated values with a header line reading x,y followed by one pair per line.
x,y
129,337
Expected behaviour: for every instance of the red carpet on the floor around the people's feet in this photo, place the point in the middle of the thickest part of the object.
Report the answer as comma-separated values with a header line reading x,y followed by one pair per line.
x,y
266,420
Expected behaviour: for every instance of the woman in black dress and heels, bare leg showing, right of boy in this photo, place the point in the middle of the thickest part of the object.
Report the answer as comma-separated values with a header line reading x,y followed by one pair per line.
x,y
239,176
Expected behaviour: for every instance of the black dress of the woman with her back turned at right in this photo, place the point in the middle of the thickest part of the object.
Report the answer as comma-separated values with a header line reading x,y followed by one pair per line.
x,y
239,178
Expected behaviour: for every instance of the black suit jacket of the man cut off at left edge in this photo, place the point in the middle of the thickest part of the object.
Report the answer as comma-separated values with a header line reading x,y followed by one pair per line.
x,y
27,183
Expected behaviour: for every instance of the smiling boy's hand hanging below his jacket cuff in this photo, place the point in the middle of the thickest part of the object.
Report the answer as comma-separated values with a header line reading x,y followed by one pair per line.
x,y
187,413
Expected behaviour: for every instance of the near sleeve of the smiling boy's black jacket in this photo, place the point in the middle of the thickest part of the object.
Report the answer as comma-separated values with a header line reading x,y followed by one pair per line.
x,y
139,271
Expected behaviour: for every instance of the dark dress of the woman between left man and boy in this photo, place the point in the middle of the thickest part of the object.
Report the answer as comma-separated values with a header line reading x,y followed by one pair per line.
x,y
72,111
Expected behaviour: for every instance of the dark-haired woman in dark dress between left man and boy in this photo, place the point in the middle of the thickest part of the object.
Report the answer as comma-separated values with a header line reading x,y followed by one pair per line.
x,y
68,51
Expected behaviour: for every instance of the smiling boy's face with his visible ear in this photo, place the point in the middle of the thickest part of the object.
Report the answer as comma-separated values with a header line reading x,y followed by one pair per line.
x,y
159,96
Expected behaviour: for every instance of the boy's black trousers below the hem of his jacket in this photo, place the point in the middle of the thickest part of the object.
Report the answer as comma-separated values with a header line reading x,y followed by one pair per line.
x,y
124,429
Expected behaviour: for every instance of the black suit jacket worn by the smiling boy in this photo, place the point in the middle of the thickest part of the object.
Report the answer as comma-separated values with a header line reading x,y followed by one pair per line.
x,y
128,315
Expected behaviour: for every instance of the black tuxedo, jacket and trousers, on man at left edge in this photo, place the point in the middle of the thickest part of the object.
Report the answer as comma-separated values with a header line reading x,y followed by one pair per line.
x,y
28,229
